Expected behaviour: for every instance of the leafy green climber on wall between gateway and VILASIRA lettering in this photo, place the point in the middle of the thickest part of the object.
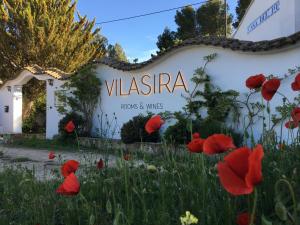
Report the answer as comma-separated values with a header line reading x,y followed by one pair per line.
x,y
82,92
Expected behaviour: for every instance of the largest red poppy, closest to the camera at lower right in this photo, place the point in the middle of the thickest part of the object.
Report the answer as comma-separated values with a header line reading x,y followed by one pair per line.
x,y
241,170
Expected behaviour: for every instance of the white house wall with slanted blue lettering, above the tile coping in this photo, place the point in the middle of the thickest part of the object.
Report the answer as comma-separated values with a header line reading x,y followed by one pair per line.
x,y
283,23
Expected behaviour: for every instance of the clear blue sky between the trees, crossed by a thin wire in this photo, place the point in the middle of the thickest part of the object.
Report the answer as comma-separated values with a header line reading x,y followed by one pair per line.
x,y
137,36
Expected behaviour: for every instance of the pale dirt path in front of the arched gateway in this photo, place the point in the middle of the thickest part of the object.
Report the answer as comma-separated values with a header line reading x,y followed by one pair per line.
x,y
37,160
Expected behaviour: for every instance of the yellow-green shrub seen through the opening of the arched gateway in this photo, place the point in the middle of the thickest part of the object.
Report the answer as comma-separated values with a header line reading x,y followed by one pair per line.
x,y
36,121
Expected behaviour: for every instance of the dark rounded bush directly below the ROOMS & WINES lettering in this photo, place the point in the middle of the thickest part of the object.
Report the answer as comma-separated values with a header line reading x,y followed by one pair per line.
x,y
134,131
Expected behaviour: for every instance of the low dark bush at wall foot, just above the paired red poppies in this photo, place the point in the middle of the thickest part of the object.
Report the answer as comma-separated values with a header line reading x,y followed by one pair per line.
x,y
179,133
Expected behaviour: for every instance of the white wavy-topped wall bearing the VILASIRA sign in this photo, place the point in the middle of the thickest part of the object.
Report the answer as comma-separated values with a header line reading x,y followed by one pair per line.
x,y
228,71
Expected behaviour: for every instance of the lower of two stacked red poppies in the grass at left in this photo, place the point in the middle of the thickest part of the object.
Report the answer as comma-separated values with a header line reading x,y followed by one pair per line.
x,y
70,186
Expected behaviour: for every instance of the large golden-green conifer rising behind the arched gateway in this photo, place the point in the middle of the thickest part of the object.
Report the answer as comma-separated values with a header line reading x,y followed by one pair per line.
x,y
44,32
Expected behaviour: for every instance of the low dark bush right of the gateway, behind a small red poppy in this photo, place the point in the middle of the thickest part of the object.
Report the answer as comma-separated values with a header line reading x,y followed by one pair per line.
x,y
78,122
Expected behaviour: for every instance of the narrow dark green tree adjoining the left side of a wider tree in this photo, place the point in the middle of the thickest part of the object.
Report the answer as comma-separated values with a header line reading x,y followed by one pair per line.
x,y
187,23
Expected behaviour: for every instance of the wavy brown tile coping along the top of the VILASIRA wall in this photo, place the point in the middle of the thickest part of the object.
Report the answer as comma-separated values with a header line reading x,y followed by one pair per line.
x,y
226,43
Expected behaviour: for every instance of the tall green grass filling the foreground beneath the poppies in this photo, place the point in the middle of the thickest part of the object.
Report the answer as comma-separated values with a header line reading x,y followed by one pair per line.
x,y
128,195
